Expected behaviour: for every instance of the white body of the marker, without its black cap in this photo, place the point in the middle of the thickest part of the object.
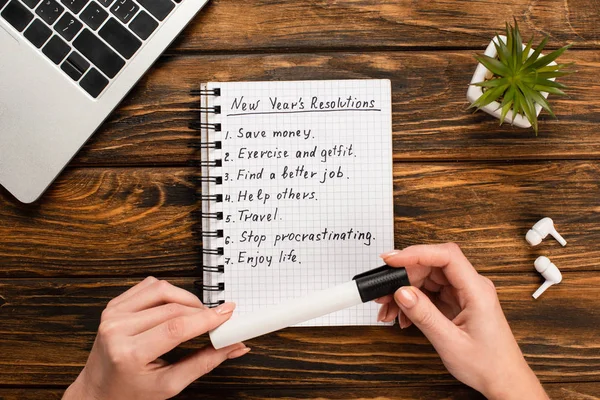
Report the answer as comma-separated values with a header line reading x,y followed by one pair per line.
x,y
291,312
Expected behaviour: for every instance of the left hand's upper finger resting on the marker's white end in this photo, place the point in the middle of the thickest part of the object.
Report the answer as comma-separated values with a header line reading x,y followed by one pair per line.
x,y
163,338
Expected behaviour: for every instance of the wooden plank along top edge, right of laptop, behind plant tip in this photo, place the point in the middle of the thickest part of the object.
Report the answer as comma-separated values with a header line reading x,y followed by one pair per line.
x,y
258,25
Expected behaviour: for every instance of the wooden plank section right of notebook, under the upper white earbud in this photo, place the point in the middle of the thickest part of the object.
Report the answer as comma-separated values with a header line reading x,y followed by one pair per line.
x,y
488,209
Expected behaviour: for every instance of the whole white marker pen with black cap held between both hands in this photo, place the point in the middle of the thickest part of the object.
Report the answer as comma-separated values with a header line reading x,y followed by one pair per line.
x,y
362,288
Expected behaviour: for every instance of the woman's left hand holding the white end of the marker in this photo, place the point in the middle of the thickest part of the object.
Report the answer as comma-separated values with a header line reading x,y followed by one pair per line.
x,y
137,328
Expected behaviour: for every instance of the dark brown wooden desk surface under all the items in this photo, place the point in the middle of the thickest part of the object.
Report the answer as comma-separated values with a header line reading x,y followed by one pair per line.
x,y
124,207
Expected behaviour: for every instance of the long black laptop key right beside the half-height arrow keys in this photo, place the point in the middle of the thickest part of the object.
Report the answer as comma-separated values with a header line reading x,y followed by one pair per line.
x,y
102,56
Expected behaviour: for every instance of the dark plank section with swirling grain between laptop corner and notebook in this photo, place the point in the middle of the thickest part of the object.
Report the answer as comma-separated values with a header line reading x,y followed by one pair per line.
x,y
103,222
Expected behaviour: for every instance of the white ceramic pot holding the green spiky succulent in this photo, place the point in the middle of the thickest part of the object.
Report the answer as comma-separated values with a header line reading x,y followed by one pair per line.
x,y
475,92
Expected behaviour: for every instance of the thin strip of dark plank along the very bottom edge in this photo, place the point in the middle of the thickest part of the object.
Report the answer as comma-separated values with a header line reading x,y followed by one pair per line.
x,y
564,391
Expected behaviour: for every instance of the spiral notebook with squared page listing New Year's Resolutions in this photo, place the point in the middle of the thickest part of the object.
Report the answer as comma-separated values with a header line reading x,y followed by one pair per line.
x,y
296,189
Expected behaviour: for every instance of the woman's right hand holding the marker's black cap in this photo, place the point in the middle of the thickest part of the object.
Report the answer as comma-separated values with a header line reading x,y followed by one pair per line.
x,y
459,312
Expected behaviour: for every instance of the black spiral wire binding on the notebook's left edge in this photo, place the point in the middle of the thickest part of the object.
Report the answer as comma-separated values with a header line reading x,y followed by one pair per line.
x,y
209,220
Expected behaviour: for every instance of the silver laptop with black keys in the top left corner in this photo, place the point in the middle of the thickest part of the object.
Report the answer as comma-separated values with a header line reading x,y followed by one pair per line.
x,y
64,66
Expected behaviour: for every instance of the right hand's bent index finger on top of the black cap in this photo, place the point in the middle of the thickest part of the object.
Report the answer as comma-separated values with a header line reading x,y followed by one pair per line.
x,y
421,259
